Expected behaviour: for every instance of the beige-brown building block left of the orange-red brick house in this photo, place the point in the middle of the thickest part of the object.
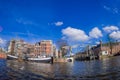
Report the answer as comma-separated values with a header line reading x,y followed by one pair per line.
x,y
17,47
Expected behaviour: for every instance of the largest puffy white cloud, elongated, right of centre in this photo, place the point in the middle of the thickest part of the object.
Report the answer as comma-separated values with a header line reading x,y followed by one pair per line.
x,y
74,34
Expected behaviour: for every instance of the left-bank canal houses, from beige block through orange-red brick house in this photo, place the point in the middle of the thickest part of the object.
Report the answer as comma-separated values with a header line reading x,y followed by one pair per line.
x,y
41,48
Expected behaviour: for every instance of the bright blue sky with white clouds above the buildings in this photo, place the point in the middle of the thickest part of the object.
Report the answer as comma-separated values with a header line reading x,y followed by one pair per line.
x,y
77,21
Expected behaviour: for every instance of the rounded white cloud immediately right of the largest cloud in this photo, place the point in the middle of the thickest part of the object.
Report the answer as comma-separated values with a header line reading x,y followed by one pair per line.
x,y
95,33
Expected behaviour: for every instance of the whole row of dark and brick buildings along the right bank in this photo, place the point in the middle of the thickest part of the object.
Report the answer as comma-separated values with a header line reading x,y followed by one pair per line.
x,y
100,51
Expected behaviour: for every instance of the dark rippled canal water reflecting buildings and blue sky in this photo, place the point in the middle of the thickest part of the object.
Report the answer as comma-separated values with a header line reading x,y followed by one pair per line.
x,y
106,69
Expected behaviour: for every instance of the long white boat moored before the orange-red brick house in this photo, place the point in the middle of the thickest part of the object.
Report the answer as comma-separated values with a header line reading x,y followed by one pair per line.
x,y
41,59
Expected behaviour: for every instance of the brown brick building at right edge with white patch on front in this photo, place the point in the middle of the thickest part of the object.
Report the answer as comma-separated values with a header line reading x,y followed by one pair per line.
x,y
107,48
